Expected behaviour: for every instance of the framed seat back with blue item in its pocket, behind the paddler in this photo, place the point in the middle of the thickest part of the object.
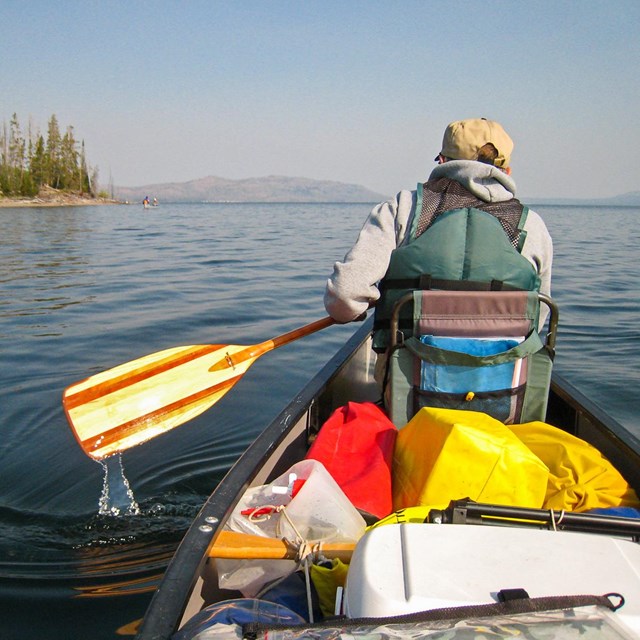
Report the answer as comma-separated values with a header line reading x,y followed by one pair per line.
x,y
471,350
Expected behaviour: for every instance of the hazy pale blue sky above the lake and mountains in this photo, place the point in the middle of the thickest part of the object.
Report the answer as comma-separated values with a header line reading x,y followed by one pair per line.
x,y
353,91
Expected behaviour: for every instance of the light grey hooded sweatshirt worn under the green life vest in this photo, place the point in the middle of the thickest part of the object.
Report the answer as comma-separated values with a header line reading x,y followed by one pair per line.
x,y
352,288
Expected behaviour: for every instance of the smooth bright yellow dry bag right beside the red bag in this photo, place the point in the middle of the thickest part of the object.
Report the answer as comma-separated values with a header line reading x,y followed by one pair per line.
x,y
449,454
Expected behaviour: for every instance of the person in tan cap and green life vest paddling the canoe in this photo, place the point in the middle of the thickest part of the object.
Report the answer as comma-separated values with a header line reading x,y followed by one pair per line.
x,y
472,173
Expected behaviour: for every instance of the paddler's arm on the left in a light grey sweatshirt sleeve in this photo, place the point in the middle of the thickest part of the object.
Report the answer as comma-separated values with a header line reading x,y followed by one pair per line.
x,y
352,289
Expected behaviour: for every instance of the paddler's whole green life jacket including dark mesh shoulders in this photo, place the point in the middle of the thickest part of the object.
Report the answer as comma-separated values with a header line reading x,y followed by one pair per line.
x,y
457,242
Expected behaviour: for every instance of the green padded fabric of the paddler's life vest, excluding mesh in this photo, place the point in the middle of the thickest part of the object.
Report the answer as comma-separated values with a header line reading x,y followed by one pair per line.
x,y
464,248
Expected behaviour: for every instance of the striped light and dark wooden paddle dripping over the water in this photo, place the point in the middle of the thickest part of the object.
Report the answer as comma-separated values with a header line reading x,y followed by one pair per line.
x,y
120,408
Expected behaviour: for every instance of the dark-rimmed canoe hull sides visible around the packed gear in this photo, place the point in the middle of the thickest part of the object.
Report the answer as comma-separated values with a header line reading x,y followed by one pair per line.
x,y
191,580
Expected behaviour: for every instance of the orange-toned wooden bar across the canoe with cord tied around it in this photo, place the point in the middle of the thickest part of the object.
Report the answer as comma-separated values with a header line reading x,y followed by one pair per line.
x,y
240,546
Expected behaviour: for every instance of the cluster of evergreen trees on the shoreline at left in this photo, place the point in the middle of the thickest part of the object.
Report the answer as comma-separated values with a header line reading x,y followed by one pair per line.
x,y
31,161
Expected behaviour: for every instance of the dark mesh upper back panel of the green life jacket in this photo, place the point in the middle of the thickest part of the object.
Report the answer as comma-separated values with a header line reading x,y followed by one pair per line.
x,y
444,194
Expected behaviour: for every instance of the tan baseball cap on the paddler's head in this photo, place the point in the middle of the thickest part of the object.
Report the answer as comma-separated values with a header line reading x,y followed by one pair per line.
x,y
464,138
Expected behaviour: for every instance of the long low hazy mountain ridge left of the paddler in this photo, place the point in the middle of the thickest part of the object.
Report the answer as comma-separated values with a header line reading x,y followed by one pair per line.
x,y
265,189
